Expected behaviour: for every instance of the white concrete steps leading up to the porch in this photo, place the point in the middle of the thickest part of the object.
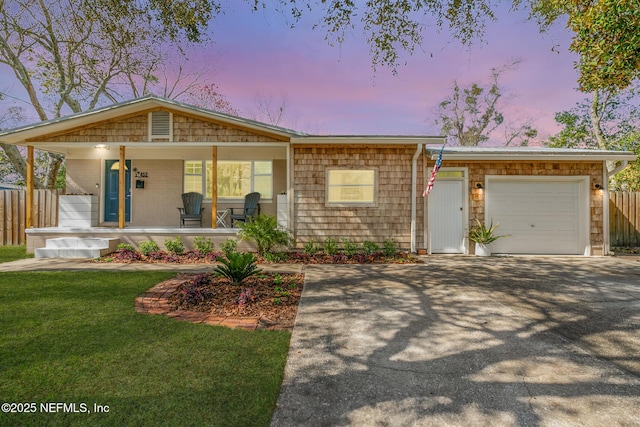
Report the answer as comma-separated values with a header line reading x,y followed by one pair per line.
x,y
77,247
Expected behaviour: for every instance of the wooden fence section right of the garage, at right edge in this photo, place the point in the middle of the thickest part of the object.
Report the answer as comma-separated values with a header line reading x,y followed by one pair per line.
x,y
624,218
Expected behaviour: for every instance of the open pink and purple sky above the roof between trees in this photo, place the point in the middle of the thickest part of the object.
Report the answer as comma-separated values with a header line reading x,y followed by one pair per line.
x,y
334,90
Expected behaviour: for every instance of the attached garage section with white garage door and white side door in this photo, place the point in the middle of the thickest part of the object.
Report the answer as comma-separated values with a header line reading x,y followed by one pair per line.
x,y
549,201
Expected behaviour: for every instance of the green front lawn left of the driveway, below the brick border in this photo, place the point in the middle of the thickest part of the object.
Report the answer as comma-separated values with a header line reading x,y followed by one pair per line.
x,y
74,337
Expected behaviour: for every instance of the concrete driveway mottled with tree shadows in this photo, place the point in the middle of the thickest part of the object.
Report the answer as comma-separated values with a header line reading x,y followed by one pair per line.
x,y
464,341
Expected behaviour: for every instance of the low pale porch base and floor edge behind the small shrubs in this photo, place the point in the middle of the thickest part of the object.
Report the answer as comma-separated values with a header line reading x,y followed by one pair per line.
x,y
37,237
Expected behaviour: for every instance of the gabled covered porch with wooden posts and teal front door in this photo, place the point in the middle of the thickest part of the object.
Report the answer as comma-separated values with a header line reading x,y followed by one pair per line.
x,y
137,158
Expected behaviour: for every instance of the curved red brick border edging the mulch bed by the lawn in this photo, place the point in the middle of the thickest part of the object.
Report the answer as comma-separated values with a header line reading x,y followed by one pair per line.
x,y
156,301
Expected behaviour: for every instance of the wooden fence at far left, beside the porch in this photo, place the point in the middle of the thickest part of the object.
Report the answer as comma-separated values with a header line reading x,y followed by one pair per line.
x,y
13,213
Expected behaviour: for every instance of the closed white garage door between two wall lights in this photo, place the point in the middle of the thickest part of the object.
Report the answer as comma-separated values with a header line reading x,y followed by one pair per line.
x,y
541,216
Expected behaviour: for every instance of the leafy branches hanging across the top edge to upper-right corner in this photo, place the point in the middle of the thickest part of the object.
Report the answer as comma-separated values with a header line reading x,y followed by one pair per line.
x,y
606,32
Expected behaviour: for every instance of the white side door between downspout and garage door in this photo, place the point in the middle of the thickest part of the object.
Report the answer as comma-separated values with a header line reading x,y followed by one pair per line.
x,y
446,210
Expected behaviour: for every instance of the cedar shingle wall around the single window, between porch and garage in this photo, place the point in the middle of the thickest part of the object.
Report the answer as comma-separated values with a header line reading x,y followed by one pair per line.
x,y
390,219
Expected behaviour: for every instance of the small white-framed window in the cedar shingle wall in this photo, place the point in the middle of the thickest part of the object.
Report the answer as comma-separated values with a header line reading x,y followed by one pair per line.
x,y
350,187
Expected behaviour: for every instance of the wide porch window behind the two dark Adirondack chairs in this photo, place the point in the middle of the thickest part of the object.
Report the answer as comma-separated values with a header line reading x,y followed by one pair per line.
x,y
235,178
